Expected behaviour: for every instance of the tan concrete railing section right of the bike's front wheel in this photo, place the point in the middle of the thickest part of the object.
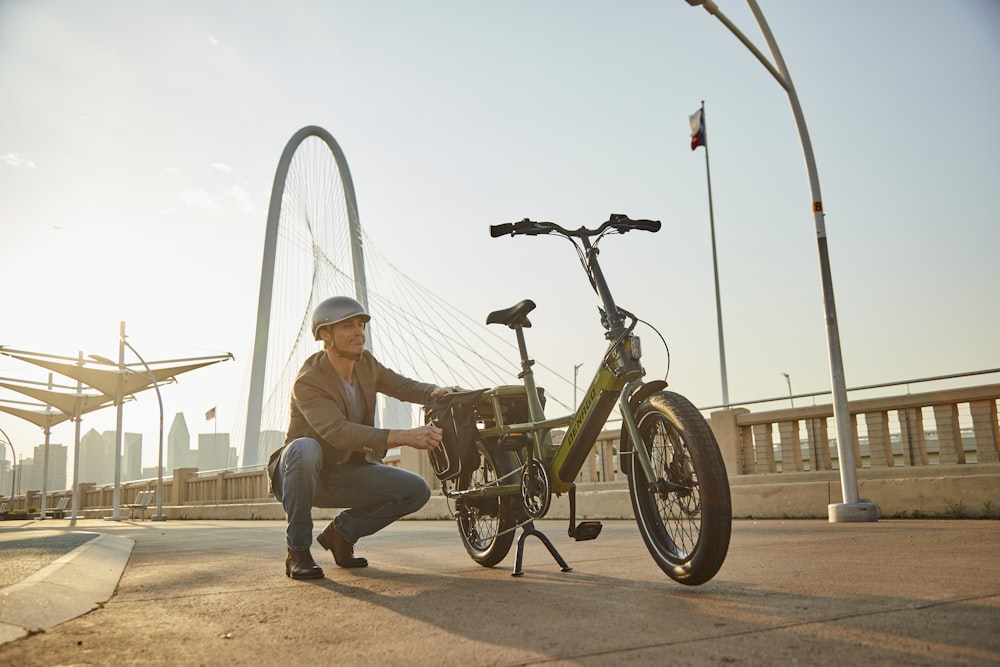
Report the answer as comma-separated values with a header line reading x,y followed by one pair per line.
x,y
927,454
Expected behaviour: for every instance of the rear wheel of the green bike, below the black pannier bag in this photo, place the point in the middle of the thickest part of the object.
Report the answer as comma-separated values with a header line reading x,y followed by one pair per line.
x,y
486,524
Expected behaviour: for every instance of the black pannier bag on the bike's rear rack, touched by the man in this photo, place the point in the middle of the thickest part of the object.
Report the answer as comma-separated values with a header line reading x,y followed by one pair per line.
x,y
454,414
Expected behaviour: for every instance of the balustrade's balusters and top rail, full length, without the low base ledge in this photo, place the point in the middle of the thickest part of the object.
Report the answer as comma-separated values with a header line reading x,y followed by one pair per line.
x,y
950,434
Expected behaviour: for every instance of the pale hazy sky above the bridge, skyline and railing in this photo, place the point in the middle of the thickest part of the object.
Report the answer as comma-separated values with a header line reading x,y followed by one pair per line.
x,y
139,140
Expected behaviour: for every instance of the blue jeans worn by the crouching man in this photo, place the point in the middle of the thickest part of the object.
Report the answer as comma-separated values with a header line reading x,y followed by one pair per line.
x,y
375,495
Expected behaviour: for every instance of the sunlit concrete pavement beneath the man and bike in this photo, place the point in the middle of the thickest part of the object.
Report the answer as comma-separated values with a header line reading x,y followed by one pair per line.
x,y
214,593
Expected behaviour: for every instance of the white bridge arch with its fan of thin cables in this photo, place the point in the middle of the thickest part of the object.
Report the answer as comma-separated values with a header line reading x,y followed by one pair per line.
x,y
315,247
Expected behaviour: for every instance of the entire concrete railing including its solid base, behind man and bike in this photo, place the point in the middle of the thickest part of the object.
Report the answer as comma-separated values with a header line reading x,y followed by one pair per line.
x,y
929,454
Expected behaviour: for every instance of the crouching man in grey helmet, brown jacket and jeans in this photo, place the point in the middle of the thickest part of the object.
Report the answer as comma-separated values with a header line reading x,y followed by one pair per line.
x,y
332,456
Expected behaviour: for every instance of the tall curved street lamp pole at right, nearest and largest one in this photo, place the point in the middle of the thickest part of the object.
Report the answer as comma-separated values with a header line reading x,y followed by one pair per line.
x,y
852,508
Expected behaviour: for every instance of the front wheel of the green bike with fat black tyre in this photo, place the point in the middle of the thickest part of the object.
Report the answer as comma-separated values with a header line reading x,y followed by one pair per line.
x,y
685,515
